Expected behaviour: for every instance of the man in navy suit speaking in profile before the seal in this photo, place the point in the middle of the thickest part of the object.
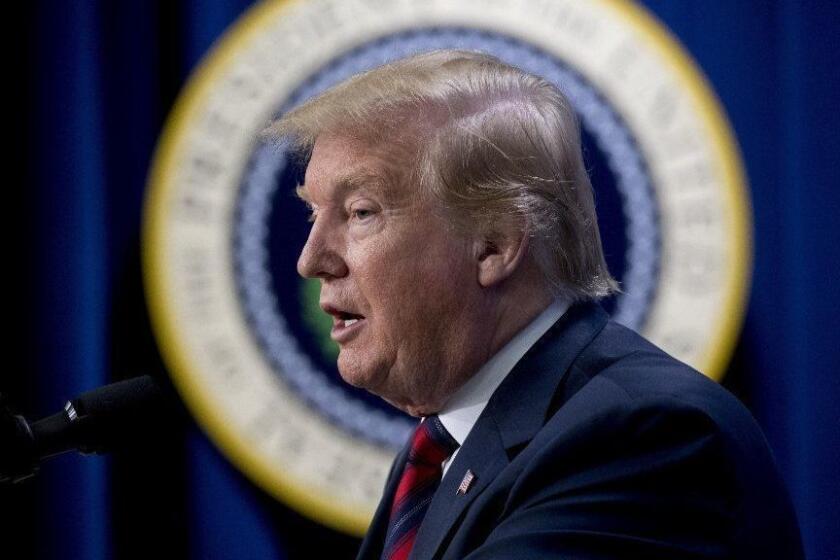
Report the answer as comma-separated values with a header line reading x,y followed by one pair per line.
x,y
455,238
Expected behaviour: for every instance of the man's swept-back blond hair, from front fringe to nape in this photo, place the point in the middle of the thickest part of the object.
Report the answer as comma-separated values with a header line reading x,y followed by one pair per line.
x,y
496,145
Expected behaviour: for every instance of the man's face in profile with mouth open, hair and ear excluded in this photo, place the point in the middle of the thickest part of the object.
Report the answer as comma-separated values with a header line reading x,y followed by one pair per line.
x,y
401,286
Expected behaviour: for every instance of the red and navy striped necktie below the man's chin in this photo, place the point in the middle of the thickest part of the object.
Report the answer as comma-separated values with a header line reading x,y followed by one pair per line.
x,y
431,445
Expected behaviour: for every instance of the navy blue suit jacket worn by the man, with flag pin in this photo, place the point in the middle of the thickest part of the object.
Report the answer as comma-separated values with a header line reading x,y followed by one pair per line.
x,y
600,445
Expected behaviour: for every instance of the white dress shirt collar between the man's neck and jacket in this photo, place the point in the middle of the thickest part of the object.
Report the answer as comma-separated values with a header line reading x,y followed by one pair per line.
x,y
461,412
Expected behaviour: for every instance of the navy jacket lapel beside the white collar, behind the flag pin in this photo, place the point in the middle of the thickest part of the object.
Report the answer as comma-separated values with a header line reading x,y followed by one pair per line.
x,y
513,416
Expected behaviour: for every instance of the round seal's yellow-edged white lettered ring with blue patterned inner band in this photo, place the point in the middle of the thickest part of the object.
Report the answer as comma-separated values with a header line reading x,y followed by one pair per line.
x,y
236,361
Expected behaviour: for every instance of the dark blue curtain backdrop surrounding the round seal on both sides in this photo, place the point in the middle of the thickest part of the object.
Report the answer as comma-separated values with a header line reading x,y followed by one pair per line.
x,y
90,86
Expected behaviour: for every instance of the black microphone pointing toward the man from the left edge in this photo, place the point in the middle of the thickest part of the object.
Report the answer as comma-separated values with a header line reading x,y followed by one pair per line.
x,y
94,422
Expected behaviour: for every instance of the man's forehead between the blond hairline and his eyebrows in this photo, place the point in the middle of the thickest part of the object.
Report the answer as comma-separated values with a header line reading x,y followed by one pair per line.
x,y
339,166
